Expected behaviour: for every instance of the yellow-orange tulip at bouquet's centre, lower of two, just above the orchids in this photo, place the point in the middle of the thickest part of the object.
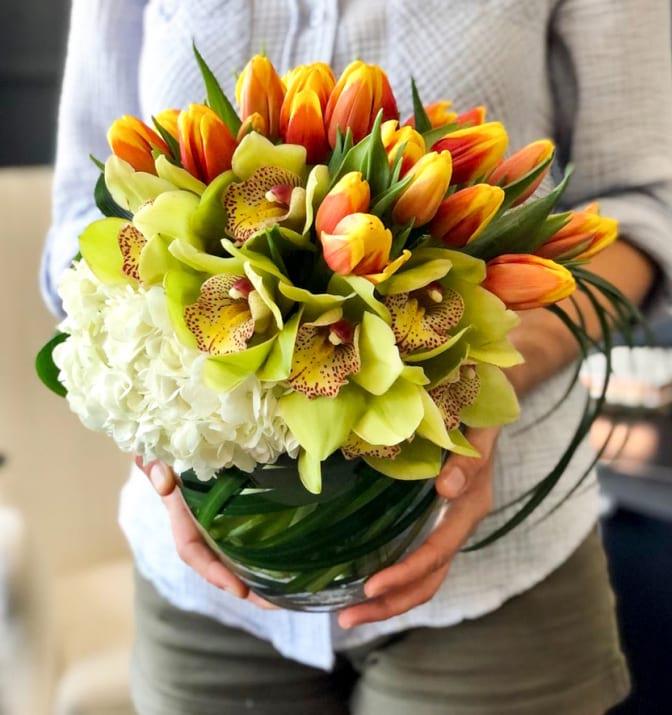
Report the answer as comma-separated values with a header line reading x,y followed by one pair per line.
x,y
359,244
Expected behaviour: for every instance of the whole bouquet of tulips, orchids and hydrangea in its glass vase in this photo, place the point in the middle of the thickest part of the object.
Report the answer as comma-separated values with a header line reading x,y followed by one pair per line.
x,y
300,305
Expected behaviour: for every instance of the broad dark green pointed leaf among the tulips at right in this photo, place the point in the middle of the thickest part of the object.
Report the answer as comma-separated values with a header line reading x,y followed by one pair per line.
x,y
520,230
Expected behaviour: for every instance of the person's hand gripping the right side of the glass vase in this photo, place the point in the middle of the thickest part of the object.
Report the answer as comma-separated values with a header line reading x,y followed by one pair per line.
x,y
465,482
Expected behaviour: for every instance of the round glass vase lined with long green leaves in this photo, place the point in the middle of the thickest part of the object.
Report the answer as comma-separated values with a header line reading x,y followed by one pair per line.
x,y
304,551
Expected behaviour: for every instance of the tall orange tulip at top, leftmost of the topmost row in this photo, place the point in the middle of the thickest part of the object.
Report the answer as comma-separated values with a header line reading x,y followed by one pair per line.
x,y
259,90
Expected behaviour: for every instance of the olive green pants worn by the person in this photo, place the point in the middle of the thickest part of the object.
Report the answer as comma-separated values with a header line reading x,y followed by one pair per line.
x,y
550,651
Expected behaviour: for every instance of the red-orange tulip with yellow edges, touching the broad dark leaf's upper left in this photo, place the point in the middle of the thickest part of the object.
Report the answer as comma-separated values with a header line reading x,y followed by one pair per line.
x,y
463,215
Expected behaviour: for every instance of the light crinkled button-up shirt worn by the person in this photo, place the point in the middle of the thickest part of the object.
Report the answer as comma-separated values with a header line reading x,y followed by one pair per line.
x,y
602,91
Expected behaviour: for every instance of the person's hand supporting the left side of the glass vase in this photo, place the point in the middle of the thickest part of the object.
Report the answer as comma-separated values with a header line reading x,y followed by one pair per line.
x,y
191,547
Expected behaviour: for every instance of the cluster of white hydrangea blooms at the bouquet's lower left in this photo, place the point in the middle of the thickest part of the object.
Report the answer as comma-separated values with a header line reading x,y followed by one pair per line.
x,y
128,376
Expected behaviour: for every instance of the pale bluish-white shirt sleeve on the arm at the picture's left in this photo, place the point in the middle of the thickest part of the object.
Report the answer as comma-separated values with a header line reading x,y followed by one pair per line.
x,y
100,83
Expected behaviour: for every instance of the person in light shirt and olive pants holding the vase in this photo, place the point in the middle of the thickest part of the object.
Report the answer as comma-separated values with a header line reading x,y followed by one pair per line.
x,y
525,625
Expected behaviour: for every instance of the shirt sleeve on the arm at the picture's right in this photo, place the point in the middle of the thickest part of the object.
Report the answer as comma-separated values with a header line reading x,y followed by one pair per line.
x,y
612,74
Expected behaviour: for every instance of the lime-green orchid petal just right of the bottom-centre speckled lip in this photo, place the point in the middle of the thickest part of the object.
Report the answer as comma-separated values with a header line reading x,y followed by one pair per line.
x,y
381,364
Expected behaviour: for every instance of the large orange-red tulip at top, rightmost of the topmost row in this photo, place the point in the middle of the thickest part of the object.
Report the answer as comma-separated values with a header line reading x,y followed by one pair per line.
x,y
360,93
